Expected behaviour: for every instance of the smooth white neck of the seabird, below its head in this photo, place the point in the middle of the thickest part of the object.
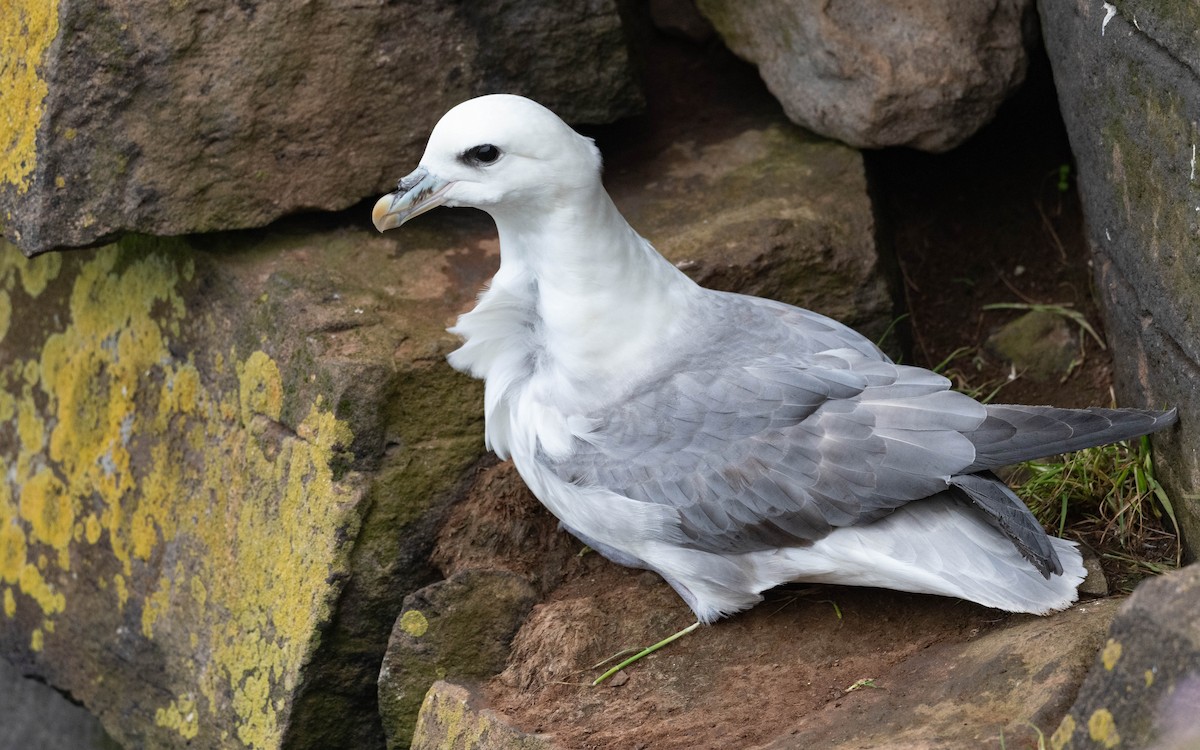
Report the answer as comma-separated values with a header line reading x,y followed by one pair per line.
x,y
604,297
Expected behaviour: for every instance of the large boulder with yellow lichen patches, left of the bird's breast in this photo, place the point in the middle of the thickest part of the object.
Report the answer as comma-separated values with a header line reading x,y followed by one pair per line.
x,y
205,442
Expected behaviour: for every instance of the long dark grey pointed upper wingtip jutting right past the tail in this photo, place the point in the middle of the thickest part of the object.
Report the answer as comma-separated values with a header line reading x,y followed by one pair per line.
x,y
1015,434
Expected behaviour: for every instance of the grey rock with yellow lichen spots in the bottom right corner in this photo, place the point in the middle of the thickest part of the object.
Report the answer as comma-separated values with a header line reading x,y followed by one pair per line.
x,y
1144,688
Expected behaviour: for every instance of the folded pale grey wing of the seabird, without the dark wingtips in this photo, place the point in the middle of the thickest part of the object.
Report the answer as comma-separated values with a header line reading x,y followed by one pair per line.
x,y
776,454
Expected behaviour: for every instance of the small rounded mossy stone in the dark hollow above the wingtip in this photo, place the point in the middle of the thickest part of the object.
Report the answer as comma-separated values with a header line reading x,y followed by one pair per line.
x,y
1040,345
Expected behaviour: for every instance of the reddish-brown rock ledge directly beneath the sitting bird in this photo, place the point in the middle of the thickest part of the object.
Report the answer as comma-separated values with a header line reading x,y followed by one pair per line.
x,y
814,668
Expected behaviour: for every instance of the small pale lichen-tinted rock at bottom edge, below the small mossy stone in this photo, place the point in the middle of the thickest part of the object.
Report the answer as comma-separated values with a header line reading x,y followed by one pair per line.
x,y
451,721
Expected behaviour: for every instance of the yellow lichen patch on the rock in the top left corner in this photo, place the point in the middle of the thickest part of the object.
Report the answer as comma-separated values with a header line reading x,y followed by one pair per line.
x,y
26,34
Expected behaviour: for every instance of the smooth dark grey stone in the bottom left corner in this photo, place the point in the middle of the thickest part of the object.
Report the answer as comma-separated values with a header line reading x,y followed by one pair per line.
x,y
35,717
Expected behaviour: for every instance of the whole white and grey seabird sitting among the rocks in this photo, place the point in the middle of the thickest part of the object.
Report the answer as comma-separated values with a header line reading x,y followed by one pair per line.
x,y
729,443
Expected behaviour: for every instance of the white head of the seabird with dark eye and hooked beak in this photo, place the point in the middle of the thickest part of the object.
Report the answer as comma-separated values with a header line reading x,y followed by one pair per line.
x,y
495,153
